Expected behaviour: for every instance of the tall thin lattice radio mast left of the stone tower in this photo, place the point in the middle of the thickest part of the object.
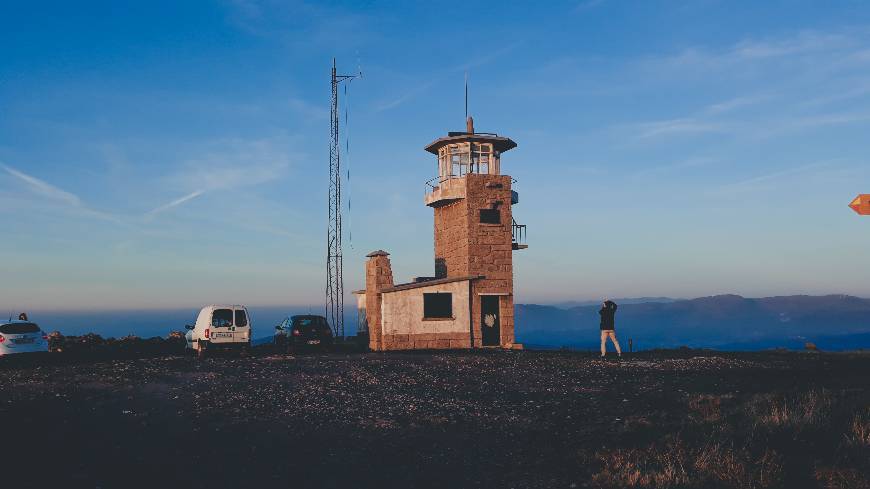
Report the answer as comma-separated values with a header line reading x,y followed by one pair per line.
x,y
334,264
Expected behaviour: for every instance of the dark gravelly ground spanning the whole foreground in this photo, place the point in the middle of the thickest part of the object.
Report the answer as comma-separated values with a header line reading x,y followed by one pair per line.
x,y
427,419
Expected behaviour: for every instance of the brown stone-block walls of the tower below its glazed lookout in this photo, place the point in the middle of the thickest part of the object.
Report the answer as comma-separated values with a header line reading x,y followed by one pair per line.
x,y
466,246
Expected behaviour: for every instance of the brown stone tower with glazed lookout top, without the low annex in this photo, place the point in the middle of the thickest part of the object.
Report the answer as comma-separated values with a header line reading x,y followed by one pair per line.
x,y
475,233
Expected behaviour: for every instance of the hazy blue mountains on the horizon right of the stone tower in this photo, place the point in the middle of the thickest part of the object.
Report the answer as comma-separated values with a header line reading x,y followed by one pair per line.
x,y
833,322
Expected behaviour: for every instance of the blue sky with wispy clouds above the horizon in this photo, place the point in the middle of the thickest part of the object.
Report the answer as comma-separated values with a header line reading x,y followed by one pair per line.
x,y
168,154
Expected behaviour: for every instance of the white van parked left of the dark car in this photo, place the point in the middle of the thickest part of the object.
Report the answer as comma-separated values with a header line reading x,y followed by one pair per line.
x,y
220,327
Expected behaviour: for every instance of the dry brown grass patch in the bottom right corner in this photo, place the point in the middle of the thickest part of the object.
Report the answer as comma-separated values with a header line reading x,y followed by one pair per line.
x,y
747,445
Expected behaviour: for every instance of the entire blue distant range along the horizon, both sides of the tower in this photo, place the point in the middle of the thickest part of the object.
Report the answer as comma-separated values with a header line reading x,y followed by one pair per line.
x,y
834,322
